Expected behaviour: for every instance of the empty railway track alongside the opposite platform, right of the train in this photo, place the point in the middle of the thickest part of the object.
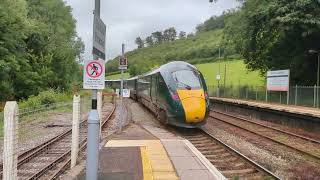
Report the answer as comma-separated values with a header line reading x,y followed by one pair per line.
x,y
304,145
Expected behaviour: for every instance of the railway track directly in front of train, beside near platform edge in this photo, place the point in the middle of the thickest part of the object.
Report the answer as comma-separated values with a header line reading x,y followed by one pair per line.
x,y
231,163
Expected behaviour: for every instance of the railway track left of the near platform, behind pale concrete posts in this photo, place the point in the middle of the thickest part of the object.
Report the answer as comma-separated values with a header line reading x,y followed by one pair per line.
x,y
49,159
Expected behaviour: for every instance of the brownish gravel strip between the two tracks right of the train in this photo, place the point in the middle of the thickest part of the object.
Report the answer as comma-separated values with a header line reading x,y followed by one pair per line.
x,y
282,161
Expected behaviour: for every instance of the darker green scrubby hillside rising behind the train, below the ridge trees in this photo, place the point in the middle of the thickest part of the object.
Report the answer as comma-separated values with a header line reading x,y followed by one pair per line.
x,y
201,48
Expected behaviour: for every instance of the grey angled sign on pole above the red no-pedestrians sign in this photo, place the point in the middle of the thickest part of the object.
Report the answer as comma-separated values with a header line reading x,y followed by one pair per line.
x,y
99,38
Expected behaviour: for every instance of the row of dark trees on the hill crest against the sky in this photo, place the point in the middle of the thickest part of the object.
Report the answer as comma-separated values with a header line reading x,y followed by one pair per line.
x,y
159,37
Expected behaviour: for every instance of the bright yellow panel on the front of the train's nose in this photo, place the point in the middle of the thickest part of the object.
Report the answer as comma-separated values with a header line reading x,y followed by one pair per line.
x,y
194,104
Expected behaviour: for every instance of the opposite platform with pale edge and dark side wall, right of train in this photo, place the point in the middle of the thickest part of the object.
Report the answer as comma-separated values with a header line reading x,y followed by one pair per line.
x,y
297,117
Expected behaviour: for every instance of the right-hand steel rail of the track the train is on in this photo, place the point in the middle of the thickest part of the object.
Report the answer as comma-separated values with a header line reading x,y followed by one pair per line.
x,y
250,161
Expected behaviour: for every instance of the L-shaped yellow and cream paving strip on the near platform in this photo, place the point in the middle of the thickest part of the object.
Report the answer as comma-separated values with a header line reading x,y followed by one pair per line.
x,y
153,155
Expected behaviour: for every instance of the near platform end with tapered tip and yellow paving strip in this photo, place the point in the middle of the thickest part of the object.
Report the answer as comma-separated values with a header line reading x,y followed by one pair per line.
x,y
149,152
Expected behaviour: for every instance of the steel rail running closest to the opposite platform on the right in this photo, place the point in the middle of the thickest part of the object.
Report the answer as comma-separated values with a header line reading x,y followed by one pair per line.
x,y
269,127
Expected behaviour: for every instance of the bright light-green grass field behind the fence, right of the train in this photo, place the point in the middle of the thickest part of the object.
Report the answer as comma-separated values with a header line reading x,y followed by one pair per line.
x,y
236,74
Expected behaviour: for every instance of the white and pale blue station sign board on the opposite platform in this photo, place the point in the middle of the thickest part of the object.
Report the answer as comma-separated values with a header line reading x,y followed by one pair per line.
x,y
278,80
